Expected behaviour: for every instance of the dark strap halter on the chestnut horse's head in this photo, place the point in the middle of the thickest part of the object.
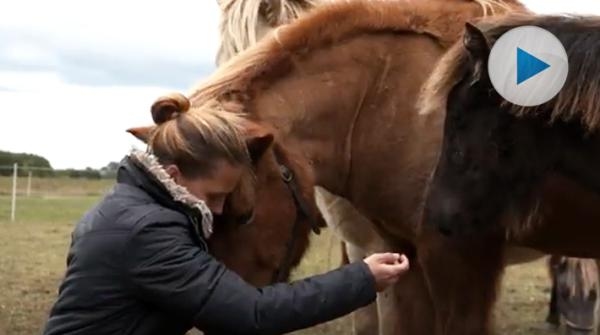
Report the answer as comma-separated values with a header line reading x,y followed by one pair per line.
x,y
301,212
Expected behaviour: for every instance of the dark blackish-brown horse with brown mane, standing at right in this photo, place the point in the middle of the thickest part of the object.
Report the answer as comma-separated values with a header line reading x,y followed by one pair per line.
x,y
507,173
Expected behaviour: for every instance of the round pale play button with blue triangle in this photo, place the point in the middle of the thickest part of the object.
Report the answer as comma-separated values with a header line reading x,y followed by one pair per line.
x,y
528,66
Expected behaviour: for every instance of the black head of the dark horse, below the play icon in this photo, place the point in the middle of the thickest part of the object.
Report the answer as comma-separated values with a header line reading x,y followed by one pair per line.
x,y
488,156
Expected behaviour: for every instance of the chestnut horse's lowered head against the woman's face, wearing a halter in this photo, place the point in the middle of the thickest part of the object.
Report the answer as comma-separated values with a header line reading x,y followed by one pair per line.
x,y
266,223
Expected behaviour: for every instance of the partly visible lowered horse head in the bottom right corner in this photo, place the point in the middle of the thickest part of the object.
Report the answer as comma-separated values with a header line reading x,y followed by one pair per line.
x,y
576,284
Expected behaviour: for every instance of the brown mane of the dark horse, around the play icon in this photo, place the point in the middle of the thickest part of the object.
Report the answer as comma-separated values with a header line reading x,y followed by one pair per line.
x,y
579,97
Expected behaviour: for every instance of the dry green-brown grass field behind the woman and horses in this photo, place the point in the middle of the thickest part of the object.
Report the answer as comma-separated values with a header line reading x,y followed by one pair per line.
x,y
33,250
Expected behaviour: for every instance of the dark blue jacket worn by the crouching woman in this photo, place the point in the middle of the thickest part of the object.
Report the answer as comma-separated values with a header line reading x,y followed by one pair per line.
x,y
136,266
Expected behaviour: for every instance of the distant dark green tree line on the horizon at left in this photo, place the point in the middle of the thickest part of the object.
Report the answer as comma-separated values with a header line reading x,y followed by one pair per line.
x,y
40,167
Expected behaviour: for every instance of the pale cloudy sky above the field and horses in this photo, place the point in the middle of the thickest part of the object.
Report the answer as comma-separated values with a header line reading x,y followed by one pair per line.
x,y
74,75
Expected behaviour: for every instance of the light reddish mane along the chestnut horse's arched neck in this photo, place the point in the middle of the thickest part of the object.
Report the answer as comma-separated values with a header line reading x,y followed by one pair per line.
x,y
336,21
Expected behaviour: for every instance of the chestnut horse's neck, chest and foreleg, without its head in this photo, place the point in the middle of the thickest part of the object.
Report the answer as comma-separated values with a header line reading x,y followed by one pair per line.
x,y
338,88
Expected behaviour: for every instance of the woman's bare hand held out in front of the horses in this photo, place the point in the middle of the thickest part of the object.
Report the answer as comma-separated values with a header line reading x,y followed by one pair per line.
x,y
387,268
